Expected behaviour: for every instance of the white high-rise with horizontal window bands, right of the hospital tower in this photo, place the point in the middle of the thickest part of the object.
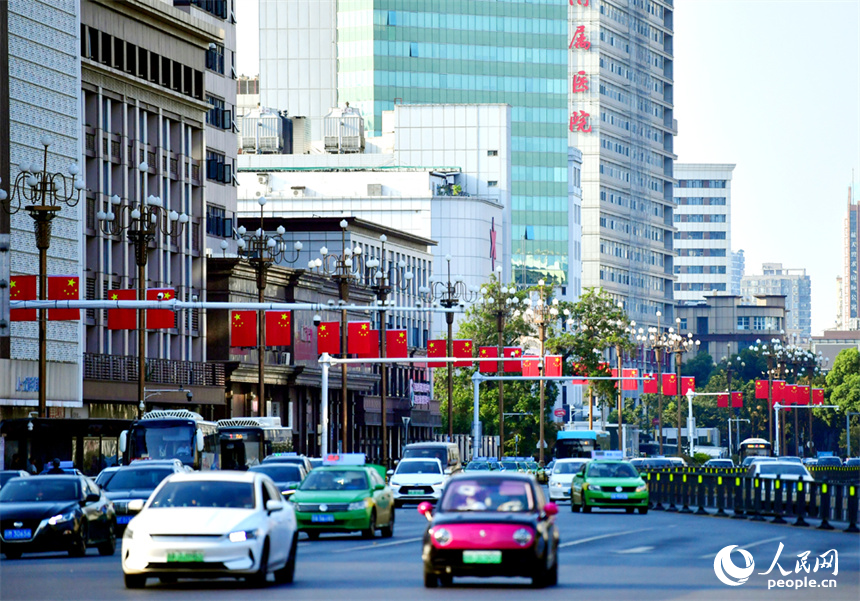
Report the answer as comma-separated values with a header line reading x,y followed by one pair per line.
x,y
704,237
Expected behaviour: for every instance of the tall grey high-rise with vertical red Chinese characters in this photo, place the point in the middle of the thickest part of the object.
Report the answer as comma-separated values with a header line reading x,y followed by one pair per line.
x,y
621,117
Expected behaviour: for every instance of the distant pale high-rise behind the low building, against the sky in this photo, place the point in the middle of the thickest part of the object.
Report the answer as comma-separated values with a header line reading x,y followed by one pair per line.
x,y
795,286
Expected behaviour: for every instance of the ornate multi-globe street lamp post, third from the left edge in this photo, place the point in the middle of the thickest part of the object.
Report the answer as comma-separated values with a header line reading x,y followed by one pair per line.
x,y
261,251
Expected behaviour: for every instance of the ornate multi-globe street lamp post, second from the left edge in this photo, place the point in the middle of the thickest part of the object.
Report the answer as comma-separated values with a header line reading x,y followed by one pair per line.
x,y
141,221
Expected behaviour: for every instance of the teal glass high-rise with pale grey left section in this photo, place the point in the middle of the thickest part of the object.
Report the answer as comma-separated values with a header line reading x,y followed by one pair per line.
x,y
374,54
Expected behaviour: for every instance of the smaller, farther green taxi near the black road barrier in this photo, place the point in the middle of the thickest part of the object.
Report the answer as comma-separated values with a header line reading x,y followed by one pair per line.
x,y
605,483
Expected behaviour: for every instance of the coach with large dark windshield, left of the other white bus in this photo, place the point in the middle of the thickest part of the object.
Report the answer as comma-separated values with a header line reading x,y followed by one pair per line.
x,y
172,434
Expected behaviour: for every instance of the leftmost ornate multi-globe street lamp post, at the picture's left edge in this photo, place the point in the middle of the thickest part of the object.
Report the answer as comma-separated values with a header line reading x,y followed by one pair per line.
x,y
46,194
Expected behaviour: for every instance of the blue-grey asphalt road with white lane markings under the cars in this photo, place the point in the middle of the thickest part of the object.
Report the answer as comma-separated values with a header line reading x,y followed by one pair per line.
x,y
606,555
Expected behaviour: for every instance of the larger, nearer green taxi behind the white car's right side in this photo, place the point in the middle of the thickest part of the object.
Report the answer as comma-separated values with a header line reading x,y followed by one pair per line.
x,y
345,495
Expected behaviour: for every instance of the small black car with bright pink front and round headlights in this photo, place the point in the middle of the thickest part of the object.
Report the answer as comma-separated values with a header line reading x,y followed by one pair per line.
x,y
491,524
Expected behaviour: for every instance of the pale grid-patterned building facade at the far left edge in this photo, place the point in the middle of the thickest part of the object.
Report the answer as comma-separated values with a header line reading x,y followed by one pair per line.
x,y
36,101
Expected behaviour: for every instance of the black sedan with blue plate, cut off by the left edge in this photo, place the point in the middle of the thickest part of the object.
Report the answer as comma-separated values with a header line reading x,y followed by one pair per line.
x,y
55,513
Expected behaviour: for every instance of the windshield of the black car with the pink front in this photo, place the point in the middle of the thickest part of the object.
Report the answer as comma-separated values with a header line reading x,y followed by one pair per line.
x,y
488,494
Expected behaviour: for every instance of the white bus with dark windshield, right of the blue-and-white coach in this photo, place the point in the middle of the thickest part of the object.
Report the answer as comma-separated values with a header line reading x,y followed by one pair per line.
x,y
246,441
